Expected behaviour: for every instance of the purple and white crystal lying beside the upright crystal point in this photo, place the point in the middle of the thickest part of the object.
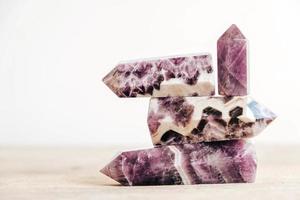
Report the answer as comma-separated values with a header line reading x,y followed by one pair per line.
x,y
172,76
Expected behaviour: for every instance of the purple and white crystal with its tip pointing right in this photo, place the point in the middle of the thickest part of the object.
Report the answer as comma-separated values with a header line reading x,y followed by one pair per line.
x,y
179,120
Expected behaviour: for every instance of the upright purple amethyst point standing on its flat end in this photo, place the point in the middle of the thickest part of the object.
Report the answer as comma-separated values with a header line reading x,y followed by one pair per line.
x,y
232,63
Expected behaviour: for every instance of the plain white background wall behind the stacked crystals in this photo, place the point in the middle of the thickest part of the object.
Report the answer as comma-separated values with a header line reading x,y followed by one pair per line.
x,y
53,55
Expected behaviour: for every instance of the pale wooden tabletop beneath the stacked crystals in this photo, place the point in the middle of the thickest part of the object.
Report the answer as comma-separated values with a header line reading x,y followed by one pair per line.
x,y
72,173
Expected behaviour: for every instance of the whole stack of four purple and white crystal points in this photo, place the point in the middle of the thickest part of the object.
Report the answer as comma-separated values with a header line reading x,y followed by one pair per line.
x,y
198,137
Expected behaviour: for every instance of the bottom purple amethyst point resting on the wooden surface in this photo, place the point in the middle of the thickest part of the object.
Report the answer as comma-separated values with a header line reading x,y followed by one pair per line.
x,y
215,162
